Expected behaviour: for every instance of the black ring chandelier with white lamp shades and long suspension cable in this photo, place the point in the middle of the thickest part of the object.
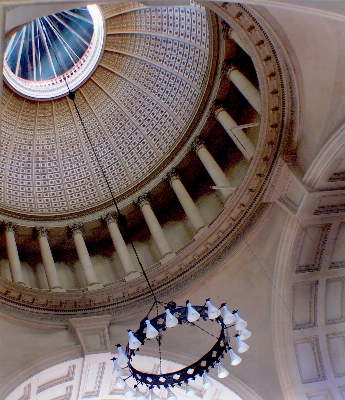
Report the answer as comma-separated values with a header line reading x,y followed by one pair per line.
x,y
173,315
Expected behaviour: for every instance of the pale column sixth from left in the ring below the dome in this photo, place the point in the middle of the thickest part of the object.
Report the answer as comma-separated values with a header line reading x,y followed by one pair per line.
x,y
186,201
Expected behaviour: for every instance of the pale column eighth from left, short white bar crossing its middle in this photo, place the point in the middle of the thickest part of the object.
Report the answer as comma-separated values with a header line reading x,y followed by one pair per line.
x,y
241,140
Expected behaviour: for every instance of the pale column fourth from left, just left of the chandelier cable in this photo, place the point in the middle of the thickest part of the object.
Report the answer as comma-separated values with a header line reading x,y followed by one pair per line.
x,y
119,244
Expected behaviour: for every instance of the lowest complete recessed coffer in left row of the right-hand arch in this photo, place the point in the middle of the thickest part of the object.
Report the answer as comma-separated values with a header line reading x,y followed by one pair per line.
x,y
308,354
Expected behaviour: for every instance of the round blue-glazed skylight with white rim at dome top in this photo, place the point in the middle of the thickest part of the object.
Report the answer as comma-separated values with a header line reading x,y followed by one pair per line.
x,y
52,50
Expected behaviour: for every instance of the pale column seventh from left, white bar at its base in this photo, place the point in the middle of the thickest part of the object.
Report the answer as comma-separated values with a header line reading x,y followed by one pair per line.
x,y
214,170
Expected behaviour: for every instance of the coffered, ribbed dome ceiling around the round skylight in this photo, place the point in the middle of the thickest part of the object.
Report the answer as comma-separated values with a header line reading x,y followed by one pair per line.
x,y
139,107
